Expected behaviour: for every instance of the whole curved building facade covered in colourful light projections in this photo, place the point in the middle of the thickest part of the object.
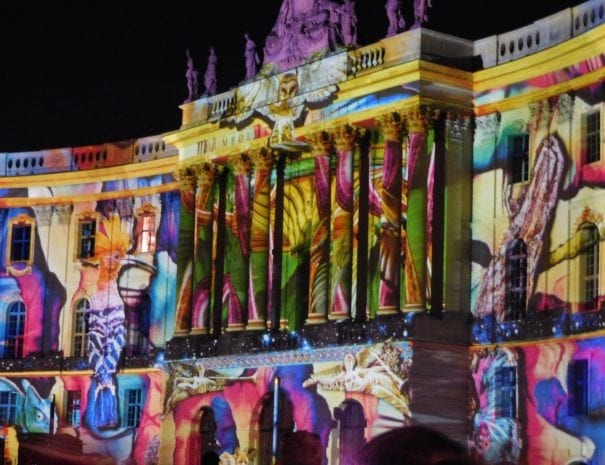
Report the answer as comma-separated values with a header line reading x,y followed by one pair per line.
x,y
347,242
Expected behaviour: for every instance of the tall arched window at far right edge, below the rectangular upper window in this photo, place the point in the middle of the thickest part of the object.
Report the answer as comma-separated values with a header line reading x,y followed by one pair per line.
x,y
589,267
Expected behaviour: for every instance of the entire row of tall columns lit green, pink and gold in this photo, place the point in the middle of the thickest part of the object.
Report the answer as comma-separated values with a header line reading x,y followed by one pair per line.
x,y
231,237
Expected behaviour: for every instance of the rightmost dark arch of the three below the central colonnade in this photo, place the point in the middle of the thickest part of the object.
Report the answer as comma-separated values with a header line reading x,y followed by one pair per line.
x,y
351,426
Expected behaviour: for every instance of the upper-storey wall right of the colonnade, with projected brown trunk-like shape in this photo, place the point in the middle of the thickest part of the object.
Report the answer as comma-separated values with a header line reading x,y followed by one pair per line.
x,y
549,213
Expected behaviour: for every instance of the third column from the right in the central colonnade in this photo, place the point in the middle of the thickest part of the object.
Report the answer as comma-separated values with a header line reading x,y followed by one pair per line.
x,y
341,264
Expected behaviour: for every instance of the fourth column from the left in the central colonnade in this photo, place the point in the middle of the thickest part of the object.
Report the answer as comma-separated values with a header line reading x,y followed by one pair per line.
x,y
259,240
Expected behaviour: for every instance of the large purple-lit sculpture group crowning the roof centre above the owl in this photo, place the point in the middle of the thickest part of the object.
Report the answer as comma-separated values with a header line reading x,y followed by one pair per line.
x,y
303,28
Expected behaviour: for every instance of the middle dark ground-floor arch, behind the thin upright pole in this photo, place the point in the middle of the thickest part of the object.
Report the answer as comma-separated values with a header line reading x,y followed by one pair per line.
x,y
270,433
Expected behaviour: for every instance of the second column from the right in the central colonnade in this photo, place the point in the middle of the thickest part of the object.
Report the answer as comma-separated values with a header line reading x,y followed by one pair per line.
x,y
391,195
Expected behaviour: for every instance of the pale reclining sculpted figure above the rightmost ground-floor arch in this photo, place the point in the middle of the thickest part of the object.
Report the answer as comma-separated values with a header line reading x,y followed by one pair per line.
x,y
367,373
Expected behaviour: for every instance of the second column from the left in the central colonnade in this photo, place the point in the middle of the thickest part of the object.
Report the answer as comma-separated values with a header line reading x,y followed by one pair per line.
x,y
203,245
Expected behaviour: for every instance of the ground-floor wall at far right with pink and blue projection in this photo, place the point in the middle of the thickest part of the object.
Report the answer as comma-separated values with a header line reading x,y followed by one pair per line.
x,y
557,422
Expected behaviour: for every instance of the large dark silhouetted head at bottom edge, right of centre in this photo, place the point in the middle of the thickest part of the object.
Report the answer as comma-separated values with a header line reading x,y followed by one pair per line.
x,y
414,445
